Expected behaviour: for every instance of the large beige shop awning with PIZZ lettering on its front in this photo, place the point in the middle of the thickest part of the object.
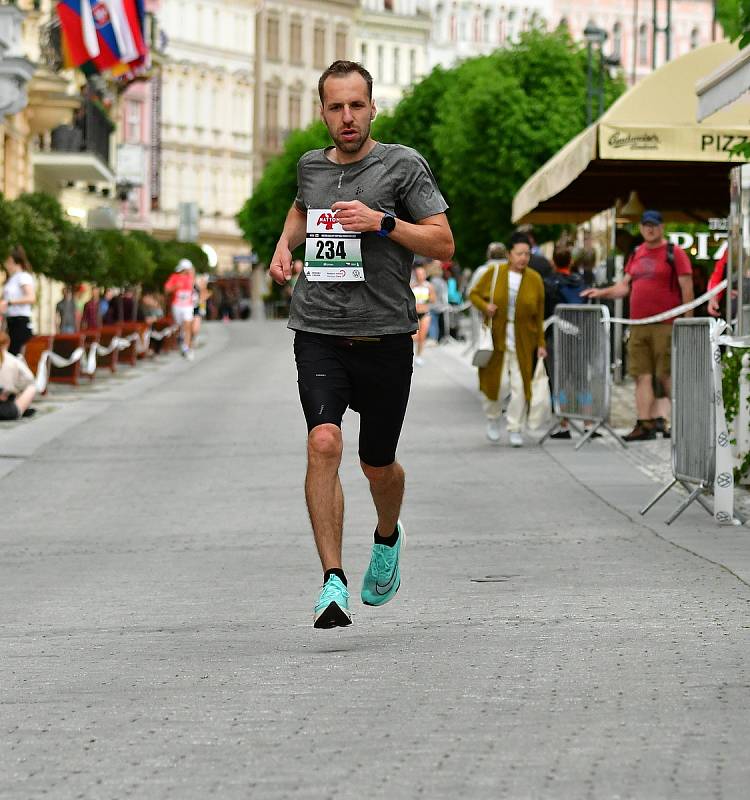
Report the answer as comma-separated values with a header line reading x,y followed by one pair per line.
x,y
648,141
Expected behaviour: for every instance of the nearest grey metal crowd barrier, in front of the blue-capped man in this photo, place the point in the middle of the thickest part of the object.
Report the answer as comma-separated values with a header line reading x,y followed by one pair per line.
x,y
696,404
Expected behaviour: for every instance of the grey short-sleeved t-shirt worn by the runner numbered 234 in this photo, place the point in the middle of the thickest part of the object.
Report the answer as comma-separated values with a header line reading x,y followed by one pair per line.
x,y
390,178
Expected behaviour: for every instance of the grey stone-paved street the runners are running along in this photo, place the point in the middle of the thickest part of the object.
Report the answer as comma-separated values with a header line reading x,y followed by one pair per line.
x,y
157,577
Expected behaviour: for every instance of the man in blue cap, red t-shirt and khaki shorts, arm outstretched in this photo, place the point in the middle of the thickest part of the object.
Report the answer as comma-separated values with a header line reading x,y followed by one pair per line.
x,y
658,277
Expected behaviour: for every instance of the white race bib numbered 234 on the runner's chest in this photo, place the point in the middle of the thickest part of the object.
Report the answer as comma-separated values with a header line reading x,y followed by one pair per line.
x,y
331,253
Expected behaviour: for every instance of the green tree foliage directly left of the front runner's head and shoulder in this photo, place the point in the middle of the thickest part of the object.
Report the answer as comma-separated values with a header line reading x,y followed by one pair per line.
x,y
262,216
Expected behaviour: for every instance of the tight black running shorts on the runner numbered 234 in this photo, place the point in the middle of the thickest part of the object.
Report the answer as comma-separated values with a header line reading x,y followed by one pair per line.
x,y
371,377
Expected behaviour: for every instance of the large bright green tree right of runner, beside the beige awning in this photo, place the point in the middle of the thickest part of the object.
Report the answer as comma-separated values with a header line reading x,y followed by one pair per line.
x,y
501,118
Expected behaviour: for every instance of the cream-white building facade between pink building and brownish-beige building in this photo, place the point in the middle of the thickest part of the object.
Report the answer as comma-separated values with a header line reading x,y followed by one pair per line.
x,y
205,121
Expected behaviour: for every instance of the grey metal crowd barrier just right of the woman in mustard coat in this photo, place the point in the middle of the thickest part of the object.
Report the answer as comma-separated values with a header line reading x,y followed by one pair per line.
x,y
582,378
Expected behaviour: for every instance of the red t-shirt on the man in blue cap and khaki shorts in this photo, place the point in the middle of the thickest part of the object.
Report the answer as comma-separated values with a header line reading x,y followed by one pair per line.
x,y
654,287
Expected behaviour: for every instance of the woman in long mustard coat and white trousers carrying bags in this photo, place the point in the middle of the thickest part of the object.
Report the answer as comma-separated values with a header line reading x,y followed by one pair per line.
x,y
516,311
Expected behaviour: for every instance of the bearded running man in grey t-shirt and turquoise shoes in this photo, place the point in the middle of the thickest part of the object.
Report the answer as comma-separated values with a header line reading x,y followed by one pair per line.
x,y
362,209
